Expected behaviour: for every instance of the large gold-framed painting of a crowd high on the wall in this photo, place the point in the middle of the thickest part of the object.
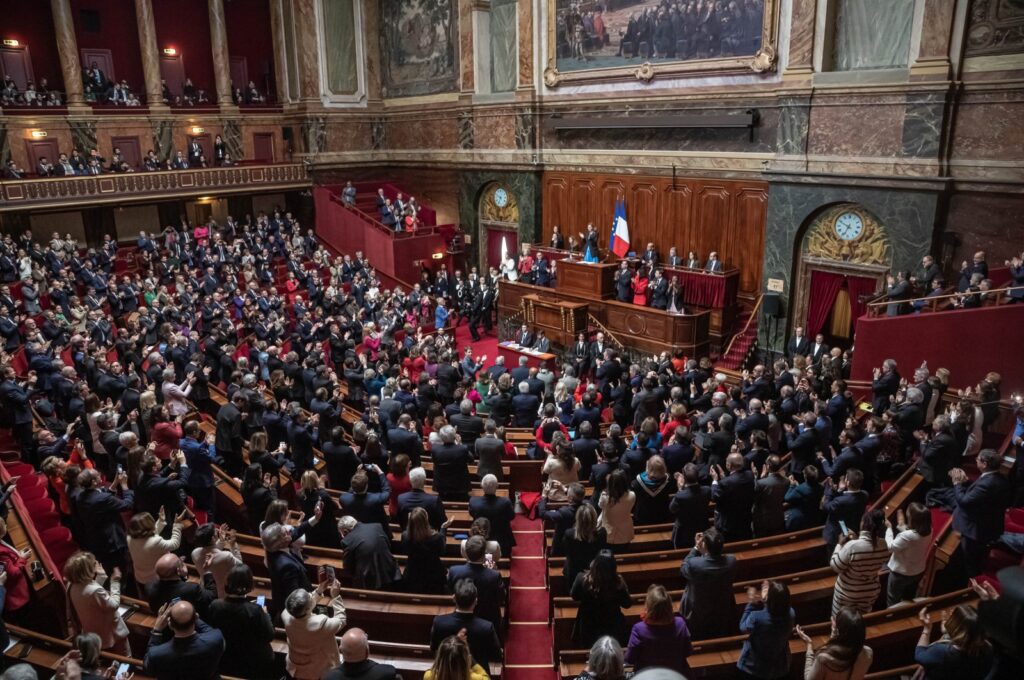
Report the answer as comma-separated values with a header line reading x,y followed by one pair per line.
x,y
606,40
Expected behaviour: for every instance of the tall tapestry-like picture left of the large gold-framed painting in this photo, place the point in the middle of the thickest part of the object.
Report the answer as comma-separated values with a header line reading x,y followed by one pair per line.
x,y
419,48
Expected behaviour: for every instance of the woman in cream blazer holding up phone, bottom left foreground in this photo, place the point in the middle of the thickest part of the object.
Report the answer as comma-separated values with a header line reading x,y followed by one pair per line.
x,y
313,650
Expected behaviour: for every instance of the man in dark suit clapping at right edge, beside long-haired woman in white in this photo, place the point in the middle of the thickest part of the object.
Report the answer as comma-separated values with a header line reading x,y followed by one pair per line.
x,y
982,506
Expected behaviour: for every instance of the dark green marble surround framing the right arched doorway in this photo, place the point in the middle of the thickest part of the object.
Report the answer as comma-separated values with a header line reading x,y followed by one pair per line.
x,y
909,218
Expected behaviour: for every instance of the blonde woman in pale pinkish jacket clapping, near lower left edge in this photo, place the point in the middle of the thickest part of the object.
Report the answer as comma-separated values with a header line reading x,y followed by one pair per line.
x,y
94,609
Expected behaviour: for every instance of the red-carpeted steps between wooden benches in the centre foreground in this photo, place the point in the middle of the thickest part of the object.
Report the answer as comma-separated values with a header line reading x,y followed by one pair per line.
x,y
529,643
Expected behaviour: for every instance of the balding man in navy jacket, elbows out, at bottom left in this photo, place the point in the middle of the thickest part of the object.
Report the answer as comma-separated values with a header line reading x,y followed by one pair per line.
x,y
183,646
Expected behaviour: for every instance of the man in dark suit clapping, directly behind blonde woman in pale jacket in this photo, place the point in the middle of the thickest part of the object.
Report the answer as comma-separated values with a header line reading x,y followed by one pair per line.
x,y
98,513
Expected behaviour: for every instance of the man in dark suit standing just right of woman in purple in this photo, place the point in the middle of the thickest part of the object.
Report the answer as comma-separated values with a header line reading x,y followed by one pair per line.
x,y
709,604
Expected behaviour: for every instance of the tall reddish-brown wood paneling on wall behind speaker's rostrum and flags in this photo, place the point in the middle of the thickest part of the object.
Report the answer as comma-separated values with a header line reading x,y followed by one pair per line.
x,y
702,216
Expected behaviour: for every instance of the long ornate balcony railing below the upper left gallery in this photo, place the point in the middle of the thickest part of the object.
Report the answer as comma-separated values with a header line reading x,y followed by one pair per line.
x,y
138,187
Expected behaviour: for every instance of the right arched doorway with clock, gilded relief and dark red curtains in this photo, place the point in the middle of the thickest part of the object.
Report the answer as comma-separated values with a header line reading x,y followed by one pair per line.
x,y
843,258
